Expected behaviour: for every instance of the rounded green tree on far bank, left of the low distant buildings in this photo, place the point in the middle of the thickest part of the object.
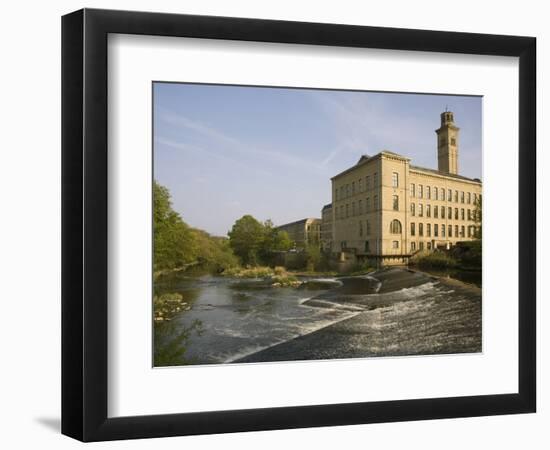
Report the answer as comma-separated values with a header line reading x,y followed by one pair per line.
x,y
246,238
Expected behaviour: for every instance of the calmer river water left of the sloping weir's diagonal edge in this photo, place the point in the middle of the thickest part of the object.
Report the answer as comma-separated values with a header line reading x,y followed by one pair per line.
x,y
229,318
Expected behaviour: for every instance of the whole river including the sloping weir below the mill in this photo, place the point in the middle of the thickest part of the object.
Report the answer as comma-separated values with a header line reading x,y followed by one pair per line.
x,y
392,312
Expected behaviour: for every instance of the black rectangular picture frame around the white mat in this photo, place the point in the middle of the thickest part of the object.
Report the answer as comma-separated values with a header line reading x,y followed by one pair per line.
x,y
84,224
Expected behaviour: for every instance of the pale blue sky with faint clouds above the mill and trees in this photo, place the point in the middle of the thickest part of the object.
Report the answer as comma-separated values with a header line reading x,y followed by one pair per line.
x,y
226,151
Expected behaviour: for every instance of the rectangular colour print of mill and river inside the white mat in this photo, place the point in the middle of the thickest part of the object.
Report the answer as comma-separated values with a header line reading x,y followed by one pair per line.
x,y
296,224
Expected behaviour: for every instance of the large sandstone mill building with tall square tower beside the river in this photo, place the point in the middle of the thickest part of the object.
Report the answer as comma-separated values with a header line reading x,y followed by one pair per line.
x,y
387,209
